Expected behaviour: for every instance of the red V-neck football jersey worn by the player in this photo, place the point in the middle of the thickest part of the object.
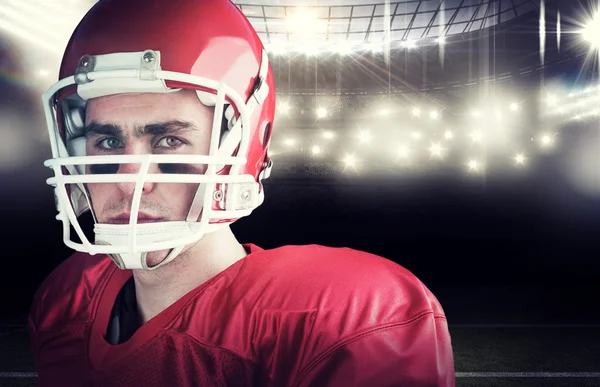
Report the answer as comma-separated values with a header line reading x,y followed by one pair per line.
x,y
290,316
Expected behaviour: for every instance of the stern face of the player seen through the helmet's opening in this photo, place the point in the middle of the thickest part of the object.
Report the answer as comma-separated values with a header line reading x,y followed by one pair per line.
x,y
156,123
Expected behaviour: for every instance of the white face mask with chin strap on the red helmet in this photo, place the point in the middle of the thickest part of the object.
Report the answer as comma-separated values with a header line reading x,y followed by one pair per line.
x,y
220,199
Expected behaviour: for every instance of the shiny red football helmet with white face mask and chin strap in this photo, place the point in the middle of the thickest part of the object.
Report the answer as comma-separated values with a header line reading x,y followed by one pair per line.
x,y
160,46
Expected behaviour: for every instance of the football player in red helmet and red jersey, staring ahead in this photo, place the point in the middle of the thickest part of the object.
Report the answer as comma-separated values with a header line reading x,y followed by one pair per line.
x,y
160,126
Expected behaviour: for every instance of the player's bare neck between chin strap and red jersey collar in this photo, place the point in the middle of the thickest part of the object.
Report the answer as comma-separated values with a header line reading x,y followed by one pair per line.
x,y
156,290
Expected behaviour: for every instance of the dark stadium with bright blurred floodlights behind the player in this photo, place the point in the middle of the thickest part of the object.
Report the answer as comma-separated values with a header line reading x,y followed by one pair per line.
x,y
471,159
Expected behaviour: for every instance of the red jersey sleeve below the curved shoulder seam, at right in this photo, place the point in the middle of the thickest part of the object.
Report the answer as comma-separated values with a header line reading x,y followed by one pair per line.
x,y
413,354
